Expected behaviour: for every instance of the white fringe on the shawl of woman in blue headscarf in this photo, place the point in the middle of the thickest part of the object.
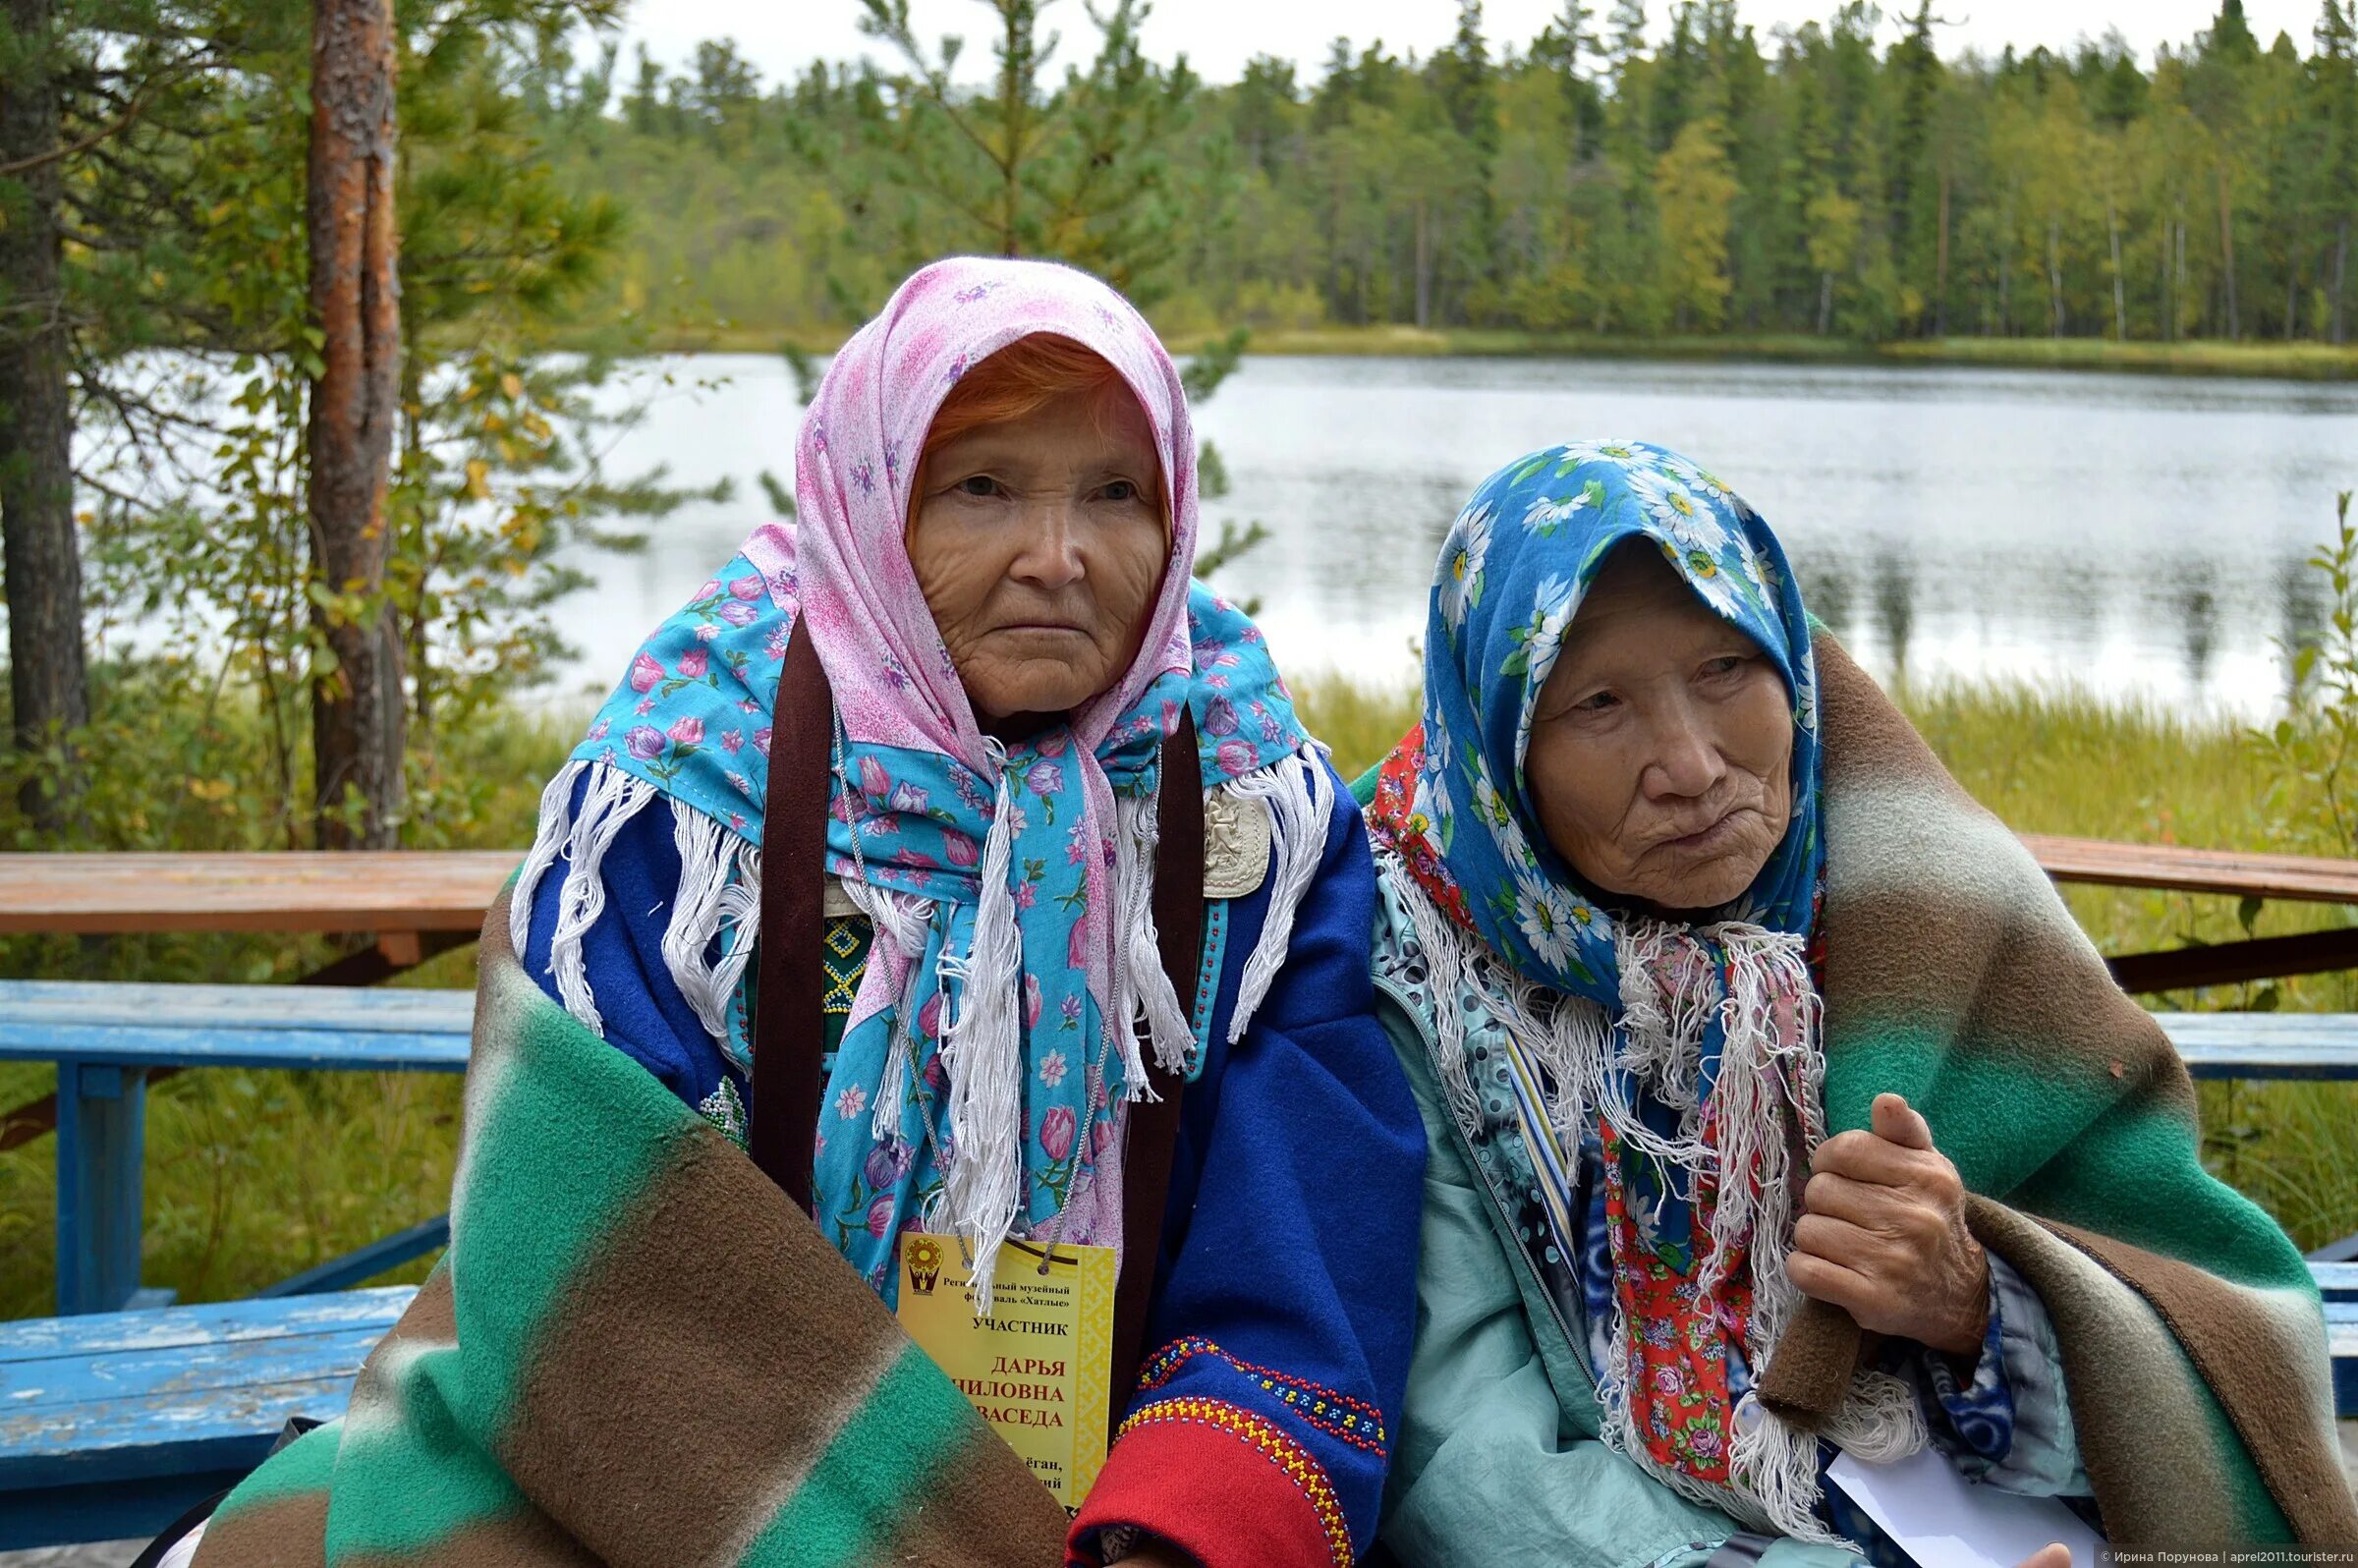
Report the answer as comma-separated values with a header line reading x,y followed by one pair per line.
x,y
1770,1107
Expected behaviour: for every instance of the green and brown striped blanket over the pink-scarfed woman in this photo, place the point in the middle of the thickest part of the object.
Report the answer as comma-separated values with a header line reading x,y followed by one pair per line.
x,y
635,1352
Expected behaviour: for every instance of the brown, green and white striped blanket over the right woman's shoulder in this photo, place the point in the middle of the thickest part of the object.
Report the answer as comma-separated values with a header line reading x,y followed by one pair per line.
x,y
2194,1345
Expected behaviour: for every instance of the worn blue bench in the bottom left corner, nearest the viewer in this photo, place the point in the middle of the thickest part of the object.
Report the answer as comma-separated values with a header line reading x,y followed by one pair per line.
x,y
117,1423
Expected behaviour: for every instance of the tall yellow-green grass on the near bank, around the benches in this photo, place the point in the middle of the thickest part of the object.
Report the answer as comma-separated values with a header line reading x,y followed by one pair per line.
x,y
258,1175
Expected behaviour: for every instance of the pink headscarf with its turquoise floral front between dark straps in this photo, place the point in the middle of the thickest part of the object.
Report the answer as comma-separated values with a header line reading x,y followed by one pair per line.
x,y
1055,914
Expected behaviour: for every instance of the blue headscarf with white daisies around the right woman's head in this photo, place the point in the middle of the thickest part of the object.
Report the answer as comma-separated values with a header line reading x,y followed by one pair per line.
x,y
1513,574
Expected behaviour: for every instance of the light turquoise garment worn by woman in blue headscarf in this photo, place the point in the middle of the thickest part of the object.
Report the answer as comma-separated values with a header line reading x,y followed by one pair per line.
x,y
1501,1456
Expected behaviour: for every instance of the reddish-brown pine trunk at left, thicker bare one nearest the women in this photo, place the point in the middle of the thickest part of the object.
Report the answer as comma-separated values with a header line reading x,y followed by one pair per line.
x,y
357,711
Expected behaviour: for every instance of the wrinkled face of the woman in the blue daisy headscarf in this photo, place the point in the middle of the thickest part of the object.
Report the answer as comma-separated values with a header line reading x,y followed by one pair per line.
x,y
1661,749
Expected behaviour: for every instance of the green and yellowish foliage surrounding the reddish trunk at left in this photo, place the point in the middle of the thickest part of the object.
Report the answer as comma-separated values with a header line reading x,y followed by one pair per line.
x,y
195,374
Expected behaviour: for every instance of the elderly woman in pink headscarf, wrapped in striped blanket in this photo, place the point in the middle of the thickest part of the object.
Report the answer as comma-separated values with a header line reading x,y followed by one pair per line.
x,y
949,869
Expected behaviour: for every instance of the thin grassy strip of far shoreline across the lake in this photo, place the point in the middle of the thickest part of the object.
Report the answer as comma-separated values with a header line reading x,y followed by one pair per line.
x,y
2288,362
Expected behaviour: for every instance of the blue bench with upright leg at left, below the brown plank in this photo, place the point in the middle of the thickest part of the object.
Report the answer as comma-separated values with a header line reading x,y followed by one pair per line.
x,y
105,1043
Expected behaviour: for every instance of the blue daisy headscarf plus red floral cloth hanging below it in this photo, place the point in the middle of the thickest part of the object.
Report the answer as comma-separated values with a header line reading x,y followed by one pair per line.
x,y
1454,805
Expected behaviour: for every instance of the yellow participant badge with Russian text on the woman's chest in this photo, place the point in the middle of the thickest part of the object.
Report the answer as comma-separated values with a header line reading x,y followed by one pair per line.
x,y
1039,1369
